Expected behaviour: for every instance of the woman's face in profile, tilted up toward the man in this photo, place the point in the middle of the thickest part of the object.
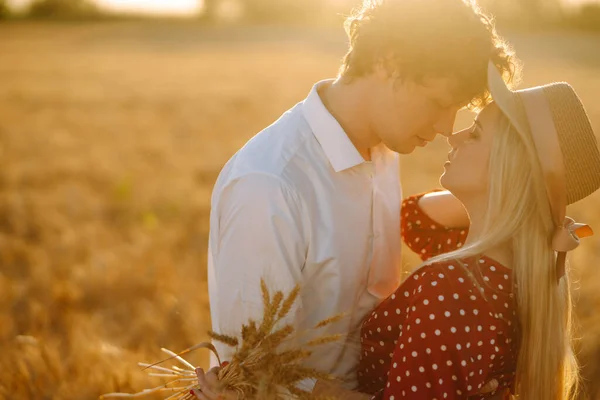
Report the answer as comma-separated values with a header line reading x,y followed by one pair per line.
x,y
466,172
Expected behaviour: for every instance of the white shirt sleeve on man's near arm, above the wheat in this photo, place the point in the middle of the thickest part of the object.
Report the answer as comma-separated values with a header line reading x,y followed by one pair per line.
x,y
257,231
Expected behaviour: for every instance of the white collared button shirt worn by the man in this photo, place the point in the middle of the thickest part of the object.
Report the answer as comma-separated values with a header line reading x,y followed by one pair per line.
x,y
298,204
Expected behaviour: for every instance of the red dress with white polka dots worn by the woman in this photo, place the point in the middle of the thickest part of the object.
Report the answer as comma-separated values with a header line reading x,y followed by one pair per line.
x,y
439,336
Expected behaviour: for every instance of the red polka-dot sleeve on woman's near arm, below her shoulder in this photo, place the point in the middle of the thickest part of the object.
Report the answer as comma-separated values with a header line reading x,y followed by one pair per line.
x,y
446,346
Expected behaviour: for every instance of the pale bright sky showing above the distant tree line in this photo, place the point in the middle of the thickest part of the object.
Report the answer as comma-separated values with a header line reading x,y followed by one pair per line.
x,y
178,7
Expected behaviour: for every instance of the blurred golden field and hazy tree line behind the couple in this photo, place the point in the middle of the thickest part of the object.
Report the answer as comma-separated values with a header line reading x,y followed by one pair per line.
x,y
115,119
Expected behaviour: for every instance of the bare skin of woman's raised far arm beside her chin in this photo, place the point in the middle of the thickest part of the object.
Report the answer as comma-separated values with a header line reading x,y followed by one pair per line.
x,y
444,209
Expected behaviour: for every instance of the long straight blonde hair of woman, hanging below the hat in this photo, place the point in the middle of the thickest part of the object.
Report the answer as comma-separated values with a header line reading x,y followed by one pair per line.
x,y
518,213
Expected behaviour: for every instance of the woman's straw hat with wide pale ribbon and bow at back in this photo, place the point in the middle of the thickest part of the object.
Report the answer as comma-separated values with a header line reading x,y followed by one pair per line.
x,y
566,147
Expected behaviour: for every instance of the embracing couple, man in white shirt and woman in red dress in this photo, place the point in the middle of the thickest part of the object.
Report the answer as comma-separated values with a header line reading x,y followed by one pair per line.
x,y
315,200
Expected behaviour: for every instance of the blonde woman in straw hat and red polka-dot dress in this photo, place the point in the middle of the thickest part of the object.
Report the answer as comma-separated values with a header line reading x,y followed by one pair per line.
x,y
496,305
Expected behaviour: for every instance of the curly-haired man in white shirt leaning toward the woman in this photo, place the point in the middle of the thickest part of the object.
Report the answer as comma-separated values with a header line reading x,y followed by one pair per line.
x,y
314,199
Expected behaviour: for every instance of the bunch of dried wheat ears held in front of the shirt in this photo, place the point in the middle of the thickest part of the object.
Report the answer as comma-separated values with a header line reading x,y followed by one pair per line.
x,y
263,366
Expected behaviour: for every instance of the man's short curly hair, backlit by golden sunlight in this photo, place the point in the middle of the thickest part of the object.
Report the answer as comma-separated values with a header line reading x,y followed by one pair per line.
x,y
417,39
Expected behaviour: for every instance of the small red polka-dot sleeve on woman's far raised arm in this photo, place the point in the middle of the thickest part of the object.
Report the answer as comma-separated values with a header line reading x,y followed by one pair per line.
x,y
425,236
